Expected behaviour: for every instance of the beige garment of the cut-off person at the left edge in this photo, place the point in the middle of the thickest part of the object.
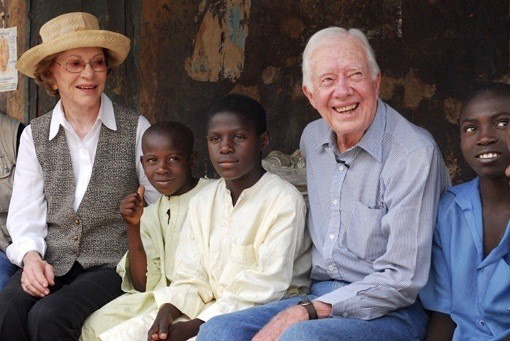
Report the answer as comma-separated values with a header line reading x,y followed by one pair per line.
x,y
8,135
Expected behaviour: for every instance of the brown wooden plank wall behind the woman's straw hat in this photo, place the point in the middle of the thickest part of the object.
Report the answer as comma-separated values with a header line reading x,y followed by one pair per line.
x,y
30,101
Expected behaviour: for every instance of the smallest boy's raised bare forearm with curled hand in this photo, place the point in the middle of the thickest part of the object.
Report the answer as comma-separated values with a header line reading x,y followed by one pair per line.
x,y
131,209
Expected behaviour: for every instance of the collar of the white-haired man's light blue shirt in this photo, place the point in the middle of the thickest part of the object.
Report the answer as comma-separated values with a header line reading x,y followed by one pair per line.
x,y
371,141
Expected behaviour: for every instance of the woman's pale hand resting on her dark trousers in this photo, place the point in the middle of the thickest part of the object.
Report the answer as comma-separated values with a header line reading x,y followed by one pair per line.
x,y
37,275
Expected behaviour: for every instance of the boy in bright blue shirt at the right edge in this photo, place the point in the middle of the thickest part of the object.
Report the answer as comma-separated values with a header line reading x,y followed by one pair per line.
x,y
469,285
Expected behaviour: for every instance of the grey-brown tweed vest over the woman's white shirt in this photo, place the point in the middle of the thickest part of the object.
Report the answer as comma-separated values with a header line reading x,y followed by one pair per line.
x,y
95,235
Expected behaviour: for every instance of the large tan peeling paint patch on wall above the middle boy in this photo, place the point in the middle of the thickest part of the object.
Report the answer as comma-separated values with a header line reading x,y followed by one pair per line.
x,y
220,43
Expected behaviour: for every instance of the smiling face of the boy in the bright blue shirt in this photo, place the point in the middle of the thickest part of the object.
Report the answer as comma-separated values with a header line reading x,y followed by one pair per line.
x,y
483,125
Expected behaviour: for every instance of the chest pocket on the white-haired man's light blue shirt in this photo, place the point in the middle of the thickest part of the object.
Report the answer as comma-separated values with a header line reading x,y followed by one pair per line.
x,y
364,236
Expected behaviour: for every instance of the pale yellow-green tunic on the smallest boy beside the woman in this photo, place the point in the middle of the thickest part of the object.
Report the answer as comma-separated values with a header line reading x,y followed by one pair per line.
x,y
160,228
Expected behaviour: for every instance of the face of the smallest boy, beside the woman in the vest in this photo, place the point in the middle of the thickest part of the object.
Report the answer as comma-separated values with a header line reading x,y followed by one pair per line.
x,y
167,164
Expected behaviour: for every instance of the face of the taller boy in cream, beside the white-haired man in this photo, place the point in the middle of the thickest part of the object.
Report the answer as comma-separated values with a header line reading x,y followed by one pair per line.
x,y
234,147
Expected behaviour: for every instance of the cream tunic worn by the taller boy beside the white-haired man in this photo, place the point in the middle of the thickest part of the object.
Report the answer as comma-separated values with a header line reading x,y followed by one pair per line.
x,y
234,257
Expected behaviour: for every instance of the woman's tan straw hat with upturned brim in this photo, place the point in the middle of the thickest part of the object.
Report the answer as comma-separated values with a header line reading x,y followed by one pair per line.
x,y
70,31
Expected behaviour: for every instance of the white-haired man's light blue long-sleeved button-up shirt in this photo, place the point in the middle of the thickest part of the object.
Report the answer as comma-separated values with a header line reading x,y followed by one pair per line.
x,y
372,212
